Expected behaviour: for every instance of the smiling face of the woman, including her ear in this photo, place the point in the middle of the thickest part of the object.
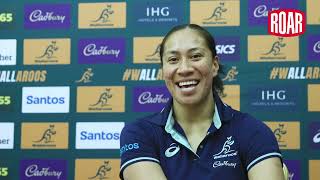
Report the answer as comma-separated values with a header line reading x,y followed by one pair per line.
x,y
188,67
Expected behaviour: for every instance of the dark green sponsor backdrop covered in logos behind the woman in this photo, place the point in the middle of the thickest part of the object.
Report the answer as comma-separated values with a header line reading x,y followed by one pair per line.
x,y
72,73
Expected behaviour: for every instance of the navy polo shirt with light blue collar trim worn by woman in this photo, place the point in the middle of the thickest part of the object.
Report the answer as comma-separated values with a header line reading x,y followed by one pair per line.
x,y
234,143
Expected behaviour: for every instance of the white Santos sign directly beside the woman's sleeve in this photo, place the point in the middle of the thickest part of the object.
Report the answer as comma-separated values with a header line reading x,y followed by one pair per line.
x,y
98,135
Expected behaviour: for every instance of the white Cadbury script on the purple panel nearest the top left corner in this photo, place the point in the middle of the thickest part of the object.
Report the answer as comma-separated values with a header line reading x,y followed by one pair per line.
x,y
38,16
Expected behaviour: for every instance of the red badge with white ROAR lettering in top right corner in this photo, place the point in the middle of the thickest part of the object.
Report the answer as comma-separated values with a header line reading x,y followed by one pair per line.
x,y
286,22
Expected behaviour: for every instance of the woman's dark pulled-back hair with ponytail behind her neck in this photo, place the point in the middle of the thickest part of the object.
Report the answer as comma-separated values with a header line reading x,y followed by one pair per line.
x,y
217,84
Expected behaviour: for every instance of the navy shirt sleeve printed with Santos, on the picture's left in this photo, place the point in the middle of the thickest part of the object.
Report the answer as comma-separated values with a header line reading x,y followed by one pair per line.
x,y
137,143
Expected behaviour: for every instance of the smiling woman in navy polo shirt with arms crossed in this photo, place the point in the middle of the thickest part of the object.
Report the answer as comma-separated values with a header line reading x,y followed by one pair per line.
x,y
196,135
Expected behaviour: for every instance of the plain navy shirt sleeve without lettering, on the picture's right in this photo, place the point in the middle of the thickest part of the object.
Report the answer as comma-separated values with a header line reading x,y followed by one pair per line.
x,y
258,143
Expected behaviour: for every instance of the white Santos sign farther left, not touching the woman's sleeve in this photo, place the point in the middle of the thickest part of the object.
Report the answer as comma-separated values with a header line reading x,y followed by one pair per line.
x,y
45,99
